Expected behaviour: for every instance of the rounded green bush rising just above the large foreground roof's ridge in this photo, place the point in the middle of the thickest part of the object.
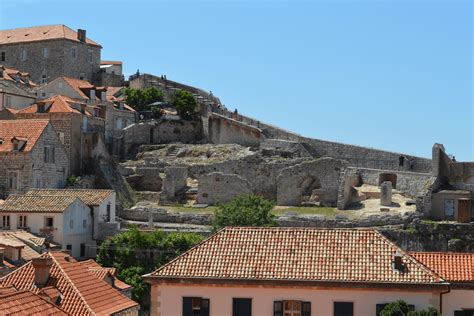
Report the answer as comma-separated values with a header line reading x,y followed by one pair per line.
x,y
245,210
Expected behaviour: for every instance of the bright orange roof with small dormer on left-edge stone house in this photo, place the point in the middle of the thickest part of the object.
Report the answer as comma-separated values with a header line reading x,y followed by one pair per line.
x,y
29,129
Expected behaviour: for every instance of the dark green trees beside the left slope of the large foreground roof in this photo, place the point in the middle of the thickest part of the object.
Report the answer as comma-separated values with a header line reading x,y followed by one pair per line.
x,y
135,253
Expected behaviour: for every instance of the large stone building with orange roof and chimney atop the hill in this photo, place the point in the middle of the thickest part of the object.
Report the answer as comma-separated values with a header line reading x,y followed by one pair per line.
x,y
50,51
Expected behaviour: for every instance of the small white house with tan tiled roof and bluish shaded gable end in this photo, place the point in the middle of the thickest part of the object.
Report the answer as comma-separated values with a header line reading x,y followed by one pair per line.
x,y
65,220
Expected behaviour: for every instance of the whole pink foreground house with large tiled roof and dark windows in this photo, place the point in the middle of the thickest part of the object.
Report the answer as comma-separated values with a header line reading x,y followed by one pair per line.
x,y
294,271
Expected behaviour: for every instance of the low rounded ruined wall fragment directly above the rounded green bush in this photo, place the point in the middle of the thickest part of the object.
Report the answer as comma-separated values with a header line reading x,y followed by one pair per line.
x,y
216,187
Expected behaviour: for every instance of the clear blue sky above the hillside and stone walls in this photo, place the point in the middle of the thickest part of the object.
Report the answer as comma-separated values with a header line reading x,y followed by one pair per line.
x,y
395,75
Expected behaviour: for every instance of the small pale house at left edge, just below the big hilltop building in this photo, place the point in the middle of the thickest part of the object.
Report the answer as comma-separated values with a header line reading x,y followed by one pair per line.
x,y
16,89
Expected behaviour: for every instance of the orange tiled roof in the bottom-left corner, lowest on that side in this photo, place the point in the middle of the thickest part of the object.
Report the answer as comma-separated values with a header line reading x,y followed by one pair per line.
x,y
27,303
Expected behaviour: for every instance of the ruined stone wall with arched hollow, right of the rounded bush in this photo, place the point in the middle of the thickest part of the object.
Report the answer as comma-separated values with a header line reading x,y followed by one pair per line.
x,y
322,174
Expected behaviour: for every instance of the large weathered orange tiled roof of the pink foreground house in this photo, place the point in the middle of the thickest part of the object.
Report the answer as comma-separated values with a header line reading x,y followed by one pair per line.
x,y
297,254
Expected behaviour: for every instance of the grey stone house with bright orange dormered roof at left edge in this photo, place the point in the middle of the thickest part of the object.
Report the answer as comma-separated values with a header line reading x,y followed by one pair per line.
x,y
31,156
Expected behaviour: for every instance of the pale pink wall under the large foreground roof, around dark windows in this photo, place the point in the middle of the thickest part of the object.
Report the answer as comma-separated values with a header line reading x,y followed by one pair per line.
x,y
167,299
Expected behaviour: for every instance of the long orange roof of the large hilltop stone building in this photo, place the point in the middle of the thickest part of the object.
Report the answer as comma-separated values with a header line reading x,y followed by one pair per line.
x,y
40,33
